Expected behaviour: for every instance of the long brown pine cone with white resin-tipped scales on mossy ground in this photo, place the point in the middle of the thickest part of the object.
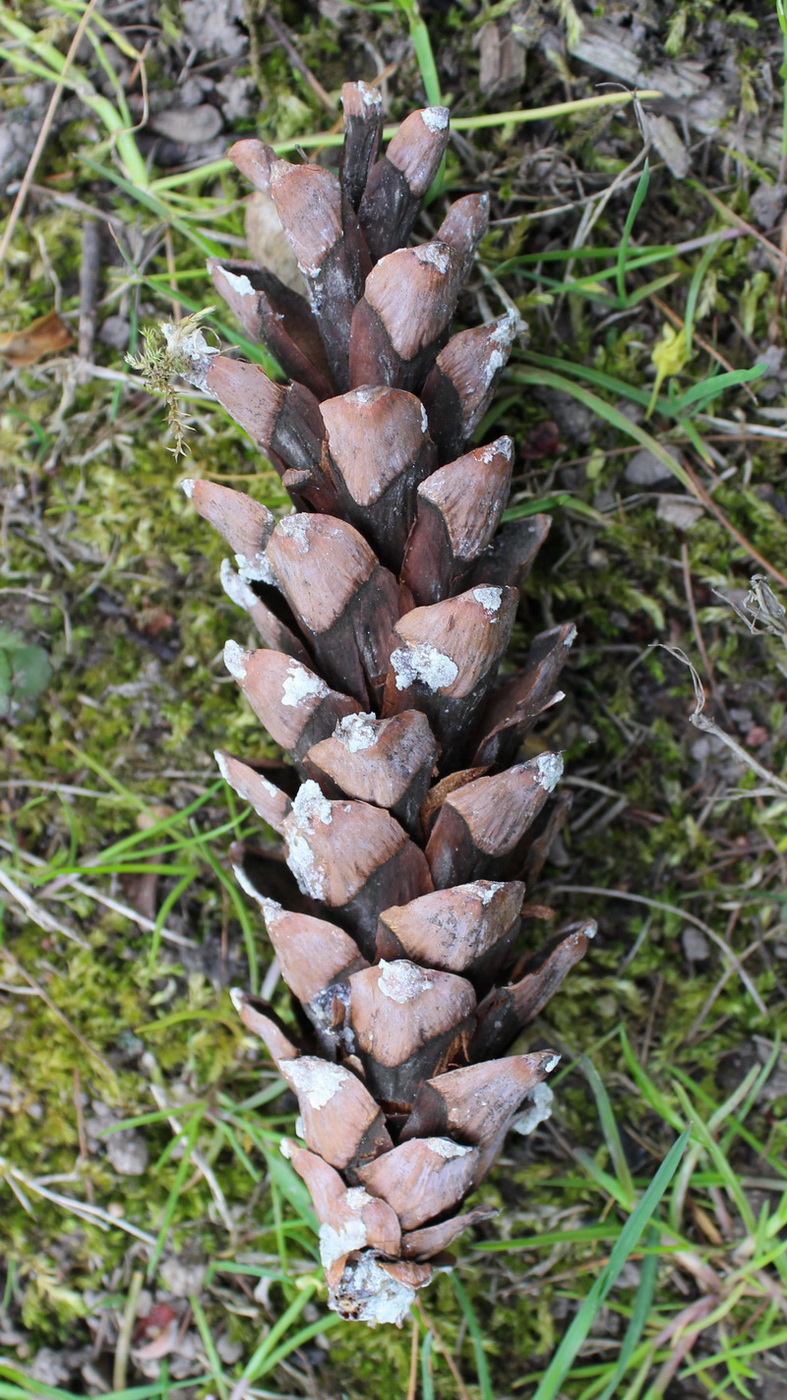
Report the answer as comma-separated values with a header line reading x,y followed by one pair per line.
x,y
384,605
